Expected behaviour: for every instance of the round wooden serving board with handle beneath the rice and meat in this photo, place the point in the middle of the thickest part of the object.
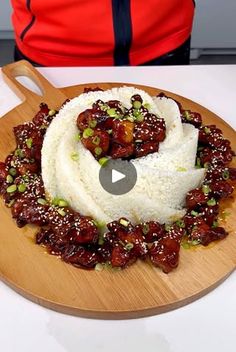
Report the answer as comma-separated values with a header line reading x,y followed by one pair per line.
x,y
138,291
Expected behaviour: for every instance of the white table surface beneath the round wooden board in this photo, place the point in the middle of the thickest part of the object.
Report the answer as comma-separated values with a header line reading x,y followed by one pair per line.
x,y
208,324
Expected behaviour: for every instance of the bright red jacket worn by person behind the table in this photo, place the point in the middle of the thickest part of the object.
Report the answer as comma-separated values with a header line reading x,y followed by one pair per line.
x,y
100,32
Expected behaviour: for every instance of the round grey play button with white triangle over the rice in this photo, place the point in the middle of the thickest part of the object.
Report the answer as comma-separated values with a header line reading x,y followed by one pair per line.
x,y
118,176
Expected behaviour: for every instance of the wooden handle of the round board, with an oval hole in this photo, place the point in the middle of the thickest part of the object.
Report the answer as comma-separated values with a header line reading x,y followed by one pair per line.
x,y
24,68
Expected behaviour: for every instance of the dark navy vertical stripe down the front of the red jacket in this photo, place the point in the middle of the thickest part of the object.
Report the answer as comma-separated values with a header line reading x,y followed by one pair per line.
x,y
123,31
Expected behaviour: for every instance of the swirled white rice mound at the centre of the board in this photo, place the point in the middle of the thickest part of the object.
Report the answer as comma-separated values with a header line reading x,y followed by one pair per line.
x,y
163,178
